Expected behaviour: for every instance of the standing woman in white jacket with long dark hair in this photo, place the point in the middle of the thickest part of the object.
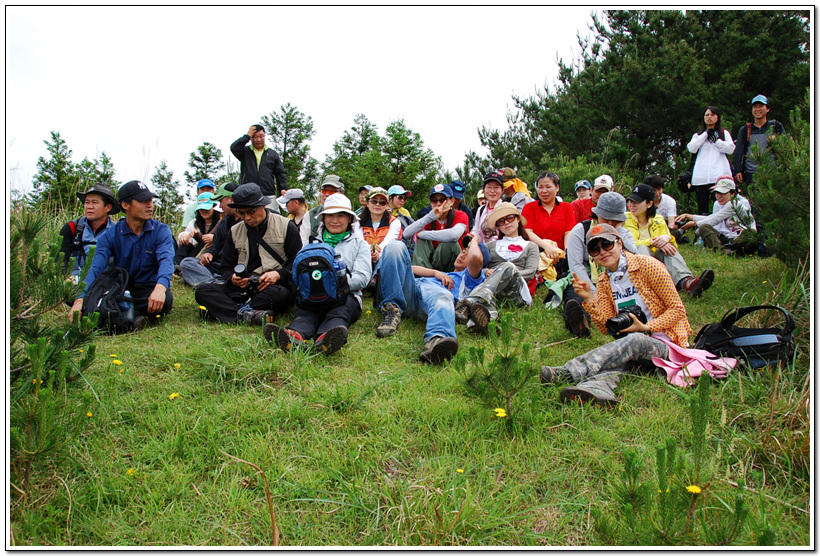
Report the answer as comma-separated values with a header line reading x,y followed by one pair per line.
x,y
711,148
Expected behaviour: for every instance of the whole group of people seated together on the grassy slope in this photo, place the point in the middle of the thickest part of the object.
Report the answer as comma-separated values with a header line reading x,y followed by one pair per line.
x,y
595,257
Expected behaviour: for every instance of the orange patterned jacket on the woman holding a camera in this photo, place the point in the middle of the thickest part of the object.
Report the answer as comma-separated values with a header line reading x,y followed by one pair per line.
x,y
658,291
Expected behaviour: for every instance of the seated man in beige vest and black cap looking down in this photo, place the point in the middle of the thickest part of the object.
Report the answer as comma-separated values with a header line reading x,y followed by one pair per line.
x,y
257,259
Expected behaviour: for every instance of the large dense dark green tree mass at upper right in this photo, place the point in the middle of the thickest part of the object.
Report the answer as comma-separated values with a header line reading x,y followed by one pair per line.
x,y
641,85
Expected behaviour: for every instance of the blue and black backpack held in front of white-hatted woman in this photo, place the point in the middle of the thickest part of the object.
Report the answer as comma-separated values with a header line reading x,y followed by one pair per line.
x,y
320,277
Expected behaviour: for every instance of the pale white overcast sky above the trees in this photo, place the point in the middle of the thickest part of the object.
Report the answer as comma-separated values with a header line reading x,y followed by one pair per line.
x,y
151,84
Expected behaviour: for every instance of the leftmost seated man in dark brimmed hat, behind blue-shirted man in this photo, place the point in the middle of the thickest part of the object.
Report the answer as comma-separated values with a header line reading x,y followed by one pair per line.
x,y
83,232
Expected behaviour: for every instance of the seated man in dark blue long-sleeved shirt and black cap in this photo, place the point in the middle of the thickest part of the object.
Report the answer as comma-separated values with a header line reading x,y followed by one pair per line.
x,y
144,247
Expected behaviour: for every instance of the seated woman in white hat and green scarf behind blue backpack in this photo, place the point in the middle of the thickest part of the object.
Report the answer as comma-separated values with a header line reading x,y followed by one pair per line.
x,y
329,327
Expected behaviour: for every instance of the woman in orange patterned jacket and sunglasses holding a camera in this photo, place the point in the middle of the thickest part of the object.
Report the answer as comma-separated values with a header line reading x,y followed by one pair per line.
x,y
628,281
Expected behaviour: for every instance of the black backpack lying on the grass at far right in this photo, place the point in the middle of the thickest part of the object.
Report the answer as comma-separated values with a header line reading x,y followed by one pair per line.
x,y
759,347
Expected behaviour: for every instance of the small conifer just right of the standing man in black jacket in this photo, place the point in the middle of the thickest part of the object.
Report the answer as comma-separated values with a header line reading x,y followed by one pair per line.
x,y
291,131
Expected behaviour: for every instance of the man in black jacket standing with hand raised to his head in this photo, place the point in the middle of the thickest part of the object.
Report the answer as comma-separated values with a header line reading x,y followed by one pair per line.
x,y
258,163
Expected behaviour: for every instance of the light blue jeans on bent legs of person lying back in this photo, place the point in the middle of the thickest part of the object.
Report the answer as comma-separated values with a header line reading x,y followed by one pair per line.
x,y
421,298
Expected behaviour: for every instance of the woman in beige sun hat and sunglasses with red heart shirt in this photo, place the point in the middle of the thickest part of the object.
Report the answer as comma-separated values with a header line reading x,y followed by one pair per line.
x,y
513,263
